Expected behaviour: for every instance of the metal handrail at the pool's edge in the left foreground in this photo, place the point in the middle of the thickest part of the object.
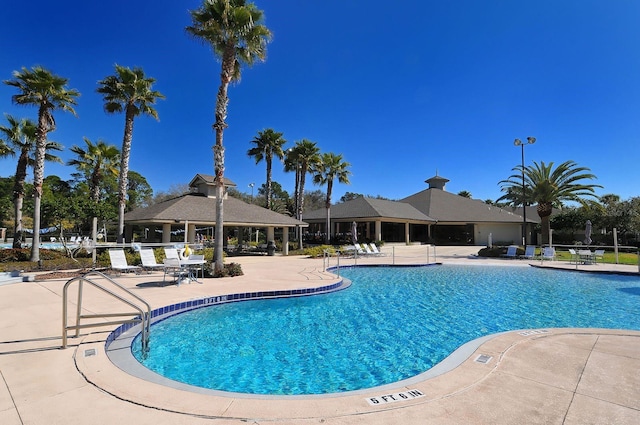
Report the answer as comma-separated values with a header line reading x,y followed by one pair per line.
x,y
139,316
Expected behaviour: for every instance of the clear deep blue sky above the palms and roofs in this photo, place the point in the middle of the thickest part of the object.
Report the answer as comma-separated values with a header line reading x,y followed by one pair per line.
x,y
401,89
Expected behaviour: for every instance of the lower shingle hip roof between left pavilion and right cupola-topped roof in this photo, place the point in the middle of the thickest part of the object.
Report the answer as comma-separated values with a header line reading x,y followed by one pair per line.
x,y
364,207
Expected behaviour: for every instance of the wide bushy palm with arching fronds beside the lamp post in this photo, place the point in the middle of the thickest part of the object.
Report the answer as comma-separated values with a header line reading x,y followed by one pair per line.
x,y
549,187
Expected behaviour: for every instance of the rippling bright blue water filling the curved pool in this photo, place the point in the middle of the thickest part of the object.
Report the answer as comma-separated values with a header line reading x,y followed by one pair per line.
x,y
391,324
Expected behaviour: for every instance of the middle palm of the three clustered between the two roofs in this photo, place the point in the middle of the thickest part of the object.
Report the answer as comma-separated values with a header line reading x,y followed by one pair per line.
x,y
303,155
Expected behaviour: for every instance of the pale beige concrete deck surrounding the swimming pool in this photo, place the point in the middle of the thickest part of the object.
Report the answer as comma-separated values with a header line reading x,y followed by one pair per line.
x,y
563,376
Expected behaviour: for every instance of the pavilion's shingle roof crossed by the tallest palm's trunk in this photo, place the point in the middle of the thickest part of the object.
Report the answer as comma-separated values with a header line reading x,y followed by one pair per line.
x,y
197,208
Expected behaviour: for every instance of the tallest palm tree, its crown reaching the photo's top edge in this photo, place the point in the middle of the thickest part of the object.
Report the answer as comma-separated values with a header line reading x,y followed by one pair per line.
x,y
236,35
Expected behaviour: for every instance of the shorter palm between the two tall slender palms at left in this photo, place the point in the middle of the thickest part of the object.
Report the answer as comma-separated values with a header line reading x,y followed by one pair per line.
x,y
96,162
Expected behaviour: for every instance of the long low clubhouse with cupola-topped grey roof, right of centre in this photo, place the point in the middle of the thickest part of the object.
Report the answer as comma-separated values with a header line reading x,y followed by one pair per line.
x,y
429,216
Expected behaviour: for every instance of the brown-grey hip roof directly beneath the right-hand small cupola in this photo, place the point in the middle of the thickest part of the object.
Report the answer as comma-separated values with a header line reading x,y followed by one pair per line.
x,y
448,207
